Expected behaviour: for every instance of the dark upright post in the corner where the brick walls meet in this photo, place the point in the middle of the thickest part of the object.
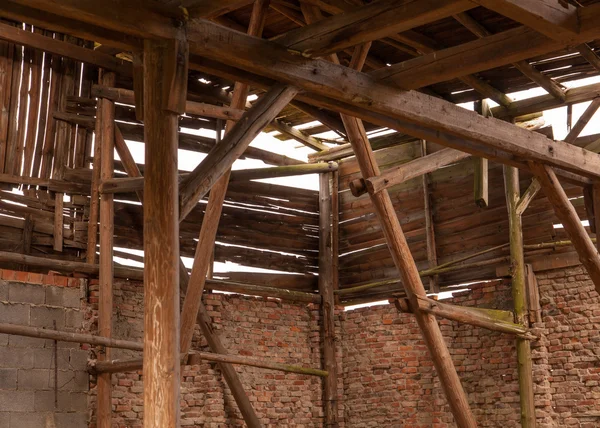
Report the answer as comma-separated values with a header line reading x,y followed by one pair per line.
x,y
326,279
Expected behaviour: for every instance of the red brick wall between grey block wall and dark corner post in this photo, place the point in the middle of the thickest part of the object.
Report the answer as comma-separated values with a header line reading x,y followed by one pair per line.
x,y
255,327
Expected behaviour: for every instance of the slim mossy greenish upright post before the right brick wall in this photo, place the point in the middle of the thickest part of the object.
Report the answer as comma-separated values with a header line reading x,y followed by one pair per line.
x,y
519,293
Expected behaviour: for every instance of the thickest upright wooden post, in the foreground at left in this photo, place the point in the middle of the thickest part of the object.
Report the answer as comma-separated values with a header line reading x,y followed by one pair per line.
x,y
161,245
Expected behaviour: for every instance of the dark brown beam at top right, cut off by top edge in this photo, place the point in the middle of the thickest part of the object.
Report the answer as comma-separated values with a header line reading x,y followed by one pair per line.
x,y
557,20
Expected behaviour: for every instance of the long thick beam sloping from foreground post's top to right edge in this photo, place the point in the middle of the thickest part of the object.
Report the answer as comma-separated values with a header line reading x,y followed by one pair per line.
x,y
411,112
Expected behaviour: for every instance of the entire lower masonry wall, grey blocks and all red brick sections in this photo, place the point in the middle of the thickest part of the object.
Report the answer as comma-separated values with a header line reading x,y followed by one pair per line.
x,y
386,374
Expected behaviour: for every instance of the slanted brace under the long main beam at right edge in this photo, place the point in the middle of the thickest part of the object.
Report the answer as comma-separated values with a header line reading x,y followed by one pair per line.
x,y
588,254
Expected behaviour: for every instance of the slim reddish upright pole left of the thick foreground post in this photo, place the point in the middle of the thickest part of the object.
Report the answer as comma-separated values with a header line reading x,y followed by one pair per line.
x,y
105,141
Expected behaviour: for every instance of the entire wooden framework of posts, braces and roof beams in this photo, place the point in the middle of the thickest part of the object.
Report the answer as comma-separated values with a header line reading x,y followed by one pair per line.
x,y
318,69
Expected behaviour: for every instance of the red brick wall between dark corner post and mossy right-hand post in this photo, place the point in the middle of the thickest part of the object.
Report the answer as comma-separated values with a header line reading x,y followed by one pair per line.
x,y
389,379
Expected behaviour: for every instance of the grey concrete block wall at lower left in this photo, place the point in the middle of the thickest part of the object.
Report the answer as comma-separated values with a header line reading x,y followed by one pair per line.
x,y
28,398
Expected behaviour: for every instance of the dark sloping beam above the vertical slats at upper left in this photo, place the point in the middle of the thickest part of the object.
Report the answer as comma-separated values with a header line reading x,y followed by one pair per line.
x,y
69,50
